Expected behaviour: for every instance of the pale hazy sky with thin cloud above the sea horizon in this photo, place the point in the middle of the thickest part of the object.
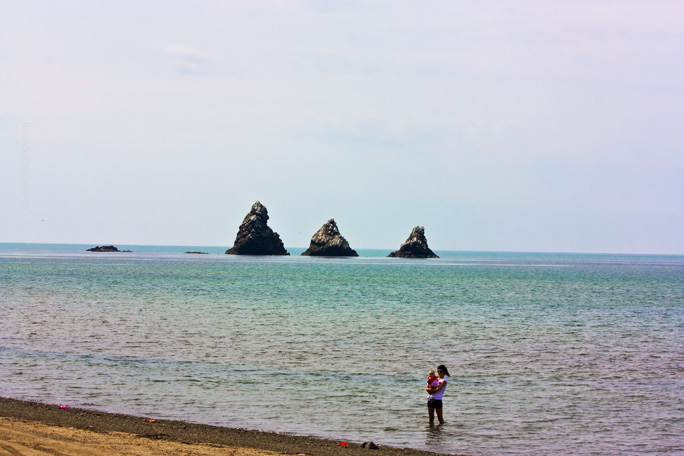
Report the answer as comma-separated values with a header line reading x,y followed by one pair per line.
x,y
498,125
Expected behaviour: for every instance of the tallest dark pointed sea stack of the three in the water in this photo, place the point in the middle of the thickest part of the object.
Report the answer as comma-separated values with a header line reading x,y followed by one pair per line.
x,y
255,237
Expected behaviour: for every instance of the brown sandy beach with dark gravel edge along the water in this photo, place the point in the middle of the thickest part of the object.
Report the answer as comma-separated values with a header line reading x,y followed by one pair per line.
x,y
30,428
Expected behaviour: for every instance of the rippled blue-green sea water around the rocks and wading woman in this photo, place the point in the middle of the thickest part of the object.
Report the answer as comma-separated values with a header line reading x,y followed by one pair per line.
x,y
548,353
